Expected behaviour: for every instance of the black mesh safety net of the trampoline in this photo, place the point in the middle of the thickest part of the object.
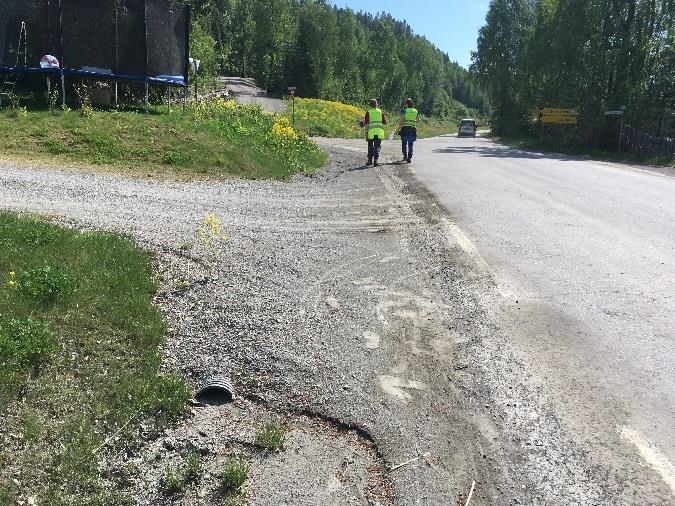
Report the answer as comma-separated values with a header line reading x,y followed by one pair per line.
x,y
115,39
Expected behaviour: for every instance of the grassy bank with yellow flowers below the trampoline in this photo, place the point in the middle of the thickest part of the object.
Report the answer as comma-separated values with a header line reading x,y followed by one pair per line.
x,y
206,141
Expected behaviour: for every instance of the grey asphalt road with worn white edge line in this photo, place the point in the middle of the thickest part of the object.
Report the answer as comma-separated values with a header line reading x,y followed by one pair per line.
x,y
583,257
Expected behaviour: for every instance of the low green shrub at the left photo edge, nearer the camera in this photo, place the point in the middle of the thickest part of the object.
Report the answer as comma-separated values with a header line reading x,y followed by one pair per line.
x,y
26,342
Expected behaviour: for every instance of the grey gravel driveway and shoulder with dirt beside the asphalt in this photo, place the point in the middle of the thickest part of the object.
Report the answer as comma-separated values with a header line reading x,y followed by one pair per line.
x,y
337,304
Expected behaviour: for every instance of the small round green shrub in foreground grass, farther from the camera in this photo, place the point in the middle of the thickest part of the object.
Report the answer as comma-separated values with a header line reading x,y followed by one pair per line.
x,y
45,285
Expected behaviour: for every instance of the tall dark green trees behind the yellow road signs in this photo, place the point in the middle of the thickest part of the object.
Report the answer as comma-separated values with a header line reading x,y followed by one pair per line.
x,y
591,55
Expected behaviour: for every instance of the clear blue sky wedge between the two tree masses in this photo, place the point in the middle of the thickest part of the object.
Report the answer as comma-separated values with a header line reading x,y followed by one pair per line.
x,y
452,25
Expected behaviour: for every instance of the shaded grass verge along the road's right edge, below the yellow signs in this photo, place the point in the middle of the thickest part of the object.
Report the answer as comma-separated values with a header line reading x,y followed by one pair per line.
x,y
599,154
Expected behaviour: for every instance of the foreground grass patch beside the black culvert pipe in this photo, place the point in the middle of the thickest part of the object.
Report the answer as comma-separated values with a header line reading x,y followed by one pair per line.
x,y
79,338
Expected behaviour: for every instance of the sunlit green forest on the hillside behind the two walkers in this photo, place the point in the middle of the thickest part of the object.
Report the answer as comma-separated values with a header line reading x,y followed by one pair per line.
x,y
331,53
